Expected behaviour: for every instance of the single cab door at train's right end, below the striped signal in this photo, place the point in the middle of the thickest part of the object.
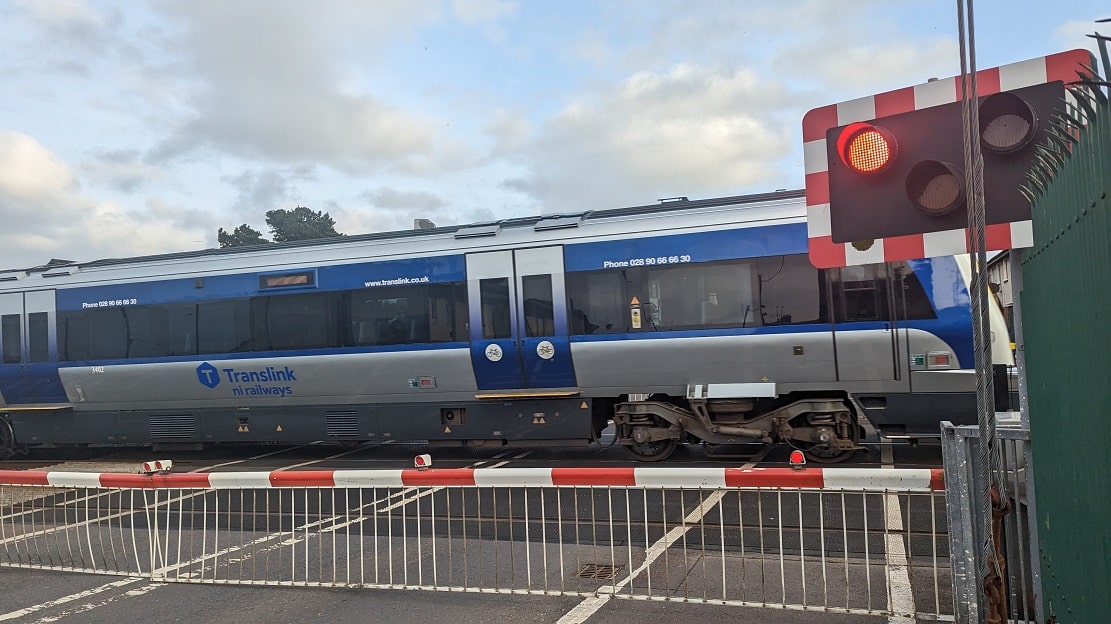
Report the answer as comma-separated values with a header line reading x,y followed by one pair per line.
x,y
869,328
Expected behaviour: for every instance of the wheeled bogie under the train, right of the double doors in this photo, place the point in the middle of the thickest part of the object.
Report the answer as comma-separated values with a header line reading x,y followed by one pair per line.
x,y
826,429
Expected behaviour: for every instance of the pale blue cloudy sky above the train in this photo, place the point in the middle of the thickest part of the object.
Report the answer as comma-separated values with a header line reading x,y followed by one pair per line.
x,y
134,127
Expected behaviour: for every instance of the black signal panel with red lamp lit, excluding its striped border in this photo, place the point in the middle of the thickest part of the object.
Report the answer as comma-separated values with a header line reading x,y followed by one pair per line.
x,y
905,174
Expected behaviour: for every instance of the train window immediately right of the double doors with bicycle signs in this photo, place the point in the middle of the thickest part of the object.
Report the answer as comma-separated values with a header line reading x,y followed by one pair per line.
x,y
599,303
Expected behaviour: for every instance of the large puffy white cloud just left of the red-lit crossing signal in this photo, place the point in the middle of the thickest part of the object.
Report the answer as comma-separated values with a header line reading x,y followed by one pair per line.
x,y
658,135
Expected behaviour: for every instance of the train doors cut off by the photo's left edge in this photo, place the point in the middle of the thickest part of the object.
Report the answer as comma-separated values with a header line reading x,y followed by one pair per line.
x,y
29,363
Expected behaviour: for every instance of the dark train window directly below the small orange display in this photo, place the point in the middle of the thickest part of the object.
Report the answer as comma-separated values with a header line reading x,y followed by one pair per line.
x,y
295,321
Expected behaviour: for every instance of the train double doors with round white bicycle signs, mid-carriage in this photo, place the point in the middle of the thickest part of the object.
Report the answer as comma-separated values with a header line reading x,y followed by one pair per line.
x,y
518,320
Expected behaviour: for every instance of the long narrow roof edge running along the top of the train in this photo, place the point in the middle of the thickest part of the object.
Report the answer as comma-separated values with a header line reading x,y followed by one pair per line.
x,y
61,268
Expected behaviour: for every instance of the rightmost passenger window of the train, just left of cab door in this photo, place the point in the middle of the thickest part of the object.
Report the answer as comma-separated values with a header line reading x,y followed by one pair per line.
x,y
790,291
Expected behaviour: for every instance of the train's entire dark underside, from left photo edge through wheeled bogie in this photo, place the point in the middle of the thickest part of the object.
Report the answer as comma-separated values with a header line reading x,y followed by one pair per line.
x,y
650,428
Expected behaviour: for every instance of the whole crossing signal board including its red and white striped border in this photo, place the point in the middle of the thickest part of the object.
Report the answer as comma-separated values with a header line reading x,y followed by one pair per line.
x,y
886,173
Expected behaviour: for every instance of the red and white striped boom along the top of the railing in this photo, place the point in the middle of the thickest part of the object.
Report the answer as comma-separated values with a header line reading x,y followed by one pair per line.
x,y
673,478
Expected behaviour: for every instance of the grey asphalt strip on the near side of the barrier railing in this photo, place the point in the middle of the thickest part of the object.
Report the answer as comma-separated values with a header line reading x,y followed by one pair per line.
x,y
41,597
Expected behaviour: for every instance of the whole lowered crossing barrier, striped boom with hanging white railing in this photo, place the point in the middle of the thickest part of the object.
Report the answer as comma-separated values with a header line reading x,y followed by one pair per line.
x,y
842,540
